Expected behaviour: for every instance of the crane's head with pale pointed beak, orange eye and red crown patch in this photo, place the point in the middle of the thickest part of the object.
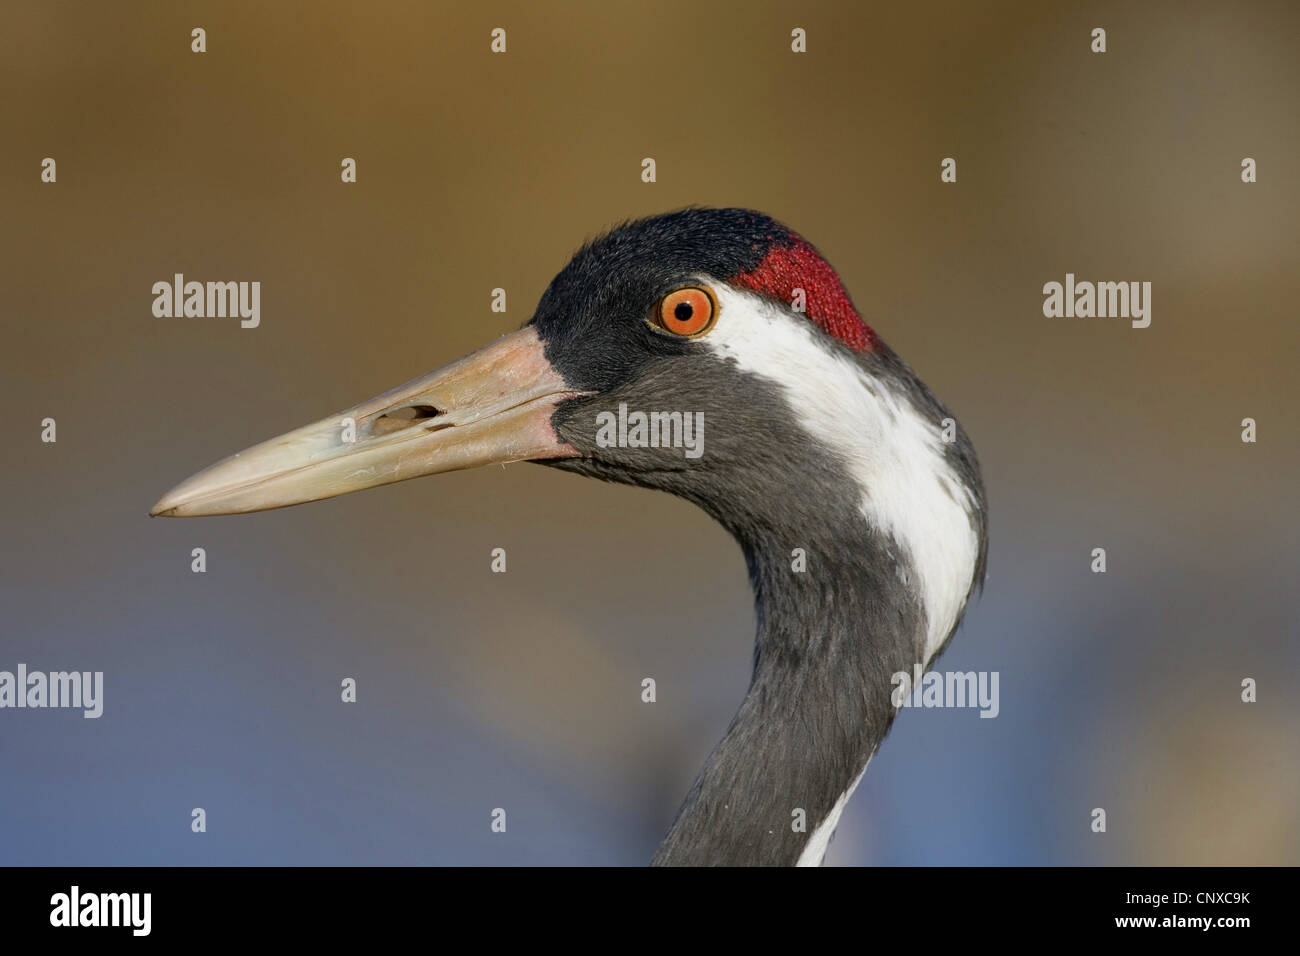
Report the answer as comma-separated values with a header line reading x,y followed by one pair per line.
x,y
713,354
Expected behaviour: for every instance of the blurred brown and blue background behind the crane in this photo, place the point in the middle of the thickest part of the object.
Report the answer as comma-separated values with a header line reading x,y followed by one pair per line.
x,y
522,690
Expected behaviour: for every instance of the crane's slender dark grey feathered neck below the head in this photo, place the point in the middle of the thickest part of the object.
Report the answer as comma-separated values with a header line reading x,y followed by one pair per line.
x,y
837,620
